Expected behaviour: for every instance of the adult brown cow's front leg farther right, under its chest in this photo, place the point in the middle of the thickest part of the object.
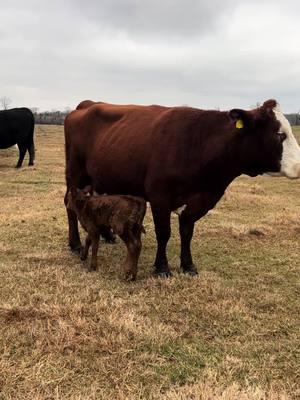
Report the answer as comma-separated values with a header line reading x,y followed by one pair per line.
x,y
186,229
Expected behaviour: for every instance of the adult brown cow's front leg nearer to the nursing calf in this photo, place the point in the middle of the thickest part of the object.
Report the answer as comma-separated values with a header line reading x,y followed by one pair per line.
x,y
162,224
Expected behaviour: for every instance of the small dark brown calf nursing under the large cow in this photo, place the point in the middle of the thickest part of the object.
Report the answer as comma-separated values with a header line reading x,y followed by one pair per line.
x,y
124,214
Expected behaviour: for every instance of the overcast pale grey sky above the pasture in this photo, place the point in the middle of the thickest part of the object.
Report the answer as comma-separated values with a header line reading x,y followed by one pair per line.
x,y
207,54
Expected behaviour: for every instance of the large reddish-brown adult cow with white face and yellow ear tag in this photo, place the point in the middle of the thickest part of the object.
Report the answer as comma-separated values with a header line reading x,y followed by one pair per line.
x,y
174,156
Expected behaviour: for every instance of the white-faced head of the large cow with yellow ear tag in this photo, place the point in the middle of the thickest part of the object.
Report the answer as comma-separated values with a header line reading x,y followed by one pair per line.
x,y
266,141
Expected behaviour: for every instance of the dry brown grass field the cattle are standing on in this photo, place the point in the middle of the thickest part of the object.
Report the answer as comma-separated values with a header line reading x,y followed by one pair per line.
x,y
230,333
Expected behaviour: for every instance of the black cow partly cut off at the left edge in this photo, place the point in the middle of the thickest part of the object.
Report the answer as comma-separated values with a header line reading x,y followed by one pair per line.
x,y
16,127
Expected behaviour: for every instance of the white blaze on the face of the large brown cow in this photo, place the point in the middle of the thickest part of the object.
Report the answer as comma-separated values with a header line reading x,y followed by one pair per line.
x,y
290,161
